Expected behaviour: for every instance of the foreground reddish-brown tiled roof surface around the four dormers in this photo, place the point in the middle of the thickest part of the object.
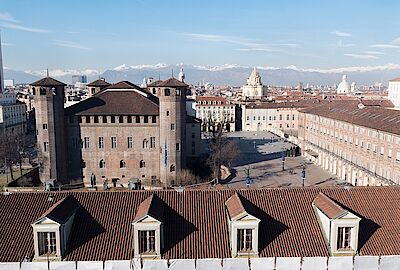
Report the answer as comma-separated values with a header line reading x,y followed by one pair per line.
x,y
195,224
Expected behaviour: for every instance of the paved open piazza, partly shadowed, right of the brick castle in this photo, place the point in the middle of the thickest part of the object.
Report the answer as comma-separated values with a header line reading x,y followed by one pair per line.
x,y
261,153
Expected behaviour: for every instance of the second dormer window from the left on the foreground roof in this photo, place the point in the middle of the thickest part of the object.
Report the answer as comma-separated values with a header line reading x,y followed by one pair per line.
x,y
148,228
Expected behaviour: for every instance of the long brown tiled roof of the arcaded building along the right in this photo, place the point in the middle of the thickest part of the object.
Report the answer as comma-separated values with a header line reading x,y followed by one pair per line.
x,y
379,118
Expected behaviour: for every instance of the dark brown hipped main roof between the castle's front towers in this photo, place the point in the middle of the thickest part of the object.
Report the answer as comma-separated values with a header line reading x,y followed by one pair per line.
x,y
116,102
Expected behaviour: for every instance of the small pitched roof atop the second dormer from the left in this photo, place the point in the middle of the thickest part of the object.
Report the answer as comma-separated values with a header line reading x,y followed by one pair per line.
x,y
152,206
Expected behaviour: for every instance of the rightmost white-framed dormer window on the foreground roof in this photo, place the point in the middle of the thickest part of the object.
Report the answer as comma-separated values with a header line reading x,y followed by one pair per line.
x,y
340,226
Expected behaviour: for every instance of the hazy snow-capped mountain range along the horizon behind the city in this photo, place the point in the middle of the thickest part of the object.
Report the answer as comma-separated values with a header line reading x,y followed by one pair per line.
x,y
233,75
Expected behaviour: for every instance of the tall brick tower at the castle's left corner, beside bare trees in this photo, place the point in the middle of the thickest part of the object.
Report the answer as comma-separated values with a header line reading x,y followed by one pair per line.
x,y
49,111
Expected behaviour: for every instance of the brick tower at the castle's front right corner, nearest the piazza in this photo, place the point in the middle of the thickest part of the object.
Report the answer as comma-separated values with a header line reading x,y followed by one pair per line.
x,y
172,113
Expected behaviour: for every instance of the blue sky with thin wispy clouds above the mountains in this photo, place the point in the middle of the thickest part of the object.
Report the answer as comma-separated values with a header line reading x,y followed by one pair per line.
x,y
103,34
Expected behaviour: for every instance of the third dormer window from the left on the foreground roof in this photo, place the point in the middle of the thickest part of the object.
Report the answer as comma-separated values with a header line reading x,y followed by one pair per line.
x,y
243,227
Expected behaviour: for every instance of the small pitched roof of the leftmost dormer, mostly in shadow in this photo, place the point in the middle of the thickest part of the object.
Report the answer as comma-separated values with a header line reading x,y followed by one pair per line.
x,y
62,210
